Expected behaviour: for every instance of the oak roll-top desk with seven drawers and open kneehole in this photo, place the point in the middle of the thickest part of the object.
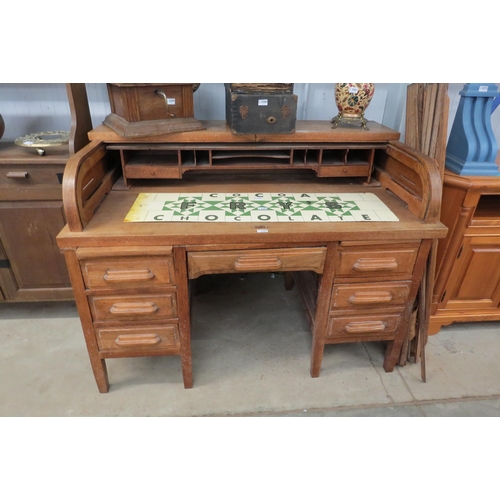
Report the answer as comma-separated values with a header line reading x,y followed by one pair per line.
x,y
359,278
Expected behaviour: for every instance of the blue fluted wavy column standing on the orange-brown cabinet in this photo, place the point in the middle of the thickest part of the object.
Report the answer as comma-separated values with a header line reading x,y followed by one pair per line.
x,y
472,147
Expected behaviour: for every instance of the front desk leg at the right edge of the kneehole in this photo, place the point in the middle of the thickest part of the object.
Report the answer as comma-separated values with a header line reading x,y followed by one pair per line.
x,y
320,324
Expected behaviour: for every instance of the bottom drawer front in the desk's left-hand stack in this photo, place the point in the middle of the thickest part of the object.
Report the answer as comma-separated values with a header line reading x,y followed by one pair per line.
x,y
138,338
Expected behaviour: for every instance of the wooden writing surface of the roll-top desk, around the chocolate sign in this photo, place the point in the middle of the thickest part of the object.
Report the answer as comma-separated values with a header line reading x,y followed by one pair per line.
x,y
107,227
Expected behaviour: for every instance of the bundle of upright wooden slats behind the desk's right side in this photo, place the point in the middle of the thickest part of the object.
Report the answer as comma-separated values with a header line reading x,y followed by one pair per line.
x,y
427,109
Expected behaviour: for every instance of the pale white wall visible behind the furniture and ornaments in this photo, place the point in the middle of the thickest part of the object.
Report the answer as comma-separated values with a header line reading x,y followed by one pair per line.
x,y
35,107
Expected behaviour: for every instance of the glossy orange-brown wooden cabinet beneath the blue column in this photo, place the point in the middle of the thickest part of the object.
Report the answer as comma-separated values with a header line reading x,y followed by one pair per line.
x,y
467,286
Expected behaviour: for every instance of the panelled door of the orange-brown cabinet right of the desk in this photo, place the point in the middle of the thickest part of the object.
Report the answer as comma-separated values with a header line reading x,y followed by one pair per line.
x,y
478,275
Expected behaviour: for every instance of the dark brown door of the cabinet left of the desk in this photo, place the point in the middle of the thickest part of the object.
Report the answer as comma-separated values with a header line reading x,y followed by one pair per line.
x,y
33,267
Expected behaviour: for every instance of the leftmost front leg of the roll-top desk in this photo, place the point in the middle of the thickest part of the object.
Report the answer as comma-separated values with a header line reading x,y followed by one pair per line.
x,y
98,364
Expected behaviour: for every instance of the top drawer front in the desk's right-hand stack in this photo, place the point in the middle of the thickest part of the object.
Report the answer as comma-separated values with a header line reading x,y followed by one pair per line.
x,y
387,263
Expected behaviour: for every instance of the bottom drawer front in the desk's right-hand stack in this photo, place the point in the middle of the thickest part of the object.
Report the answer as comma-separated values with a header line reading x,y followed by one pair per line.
x,y
363,328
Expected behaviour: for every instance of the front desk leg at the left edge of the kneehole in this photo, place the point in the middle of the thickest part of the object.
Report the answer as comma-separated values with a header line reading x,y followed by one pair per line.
x,y
181,276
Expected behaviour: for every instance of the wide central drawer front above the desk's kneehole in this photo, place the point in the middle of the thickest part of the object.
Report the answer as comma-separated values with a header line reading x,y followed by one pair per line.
x,y
244,261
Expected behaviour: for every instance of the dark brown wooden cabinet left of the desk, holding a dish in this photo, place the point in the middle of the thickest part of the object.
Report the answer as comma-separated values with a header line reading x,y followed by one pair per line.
x,y
31,216
